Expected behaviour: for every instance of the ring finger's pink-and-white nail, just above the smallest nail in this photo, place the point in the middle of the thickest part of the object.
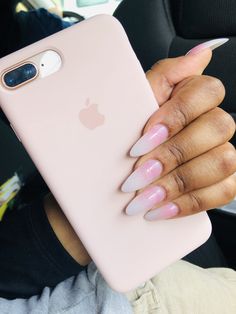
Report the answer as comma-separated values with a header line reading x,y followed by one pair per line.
x,y
146,200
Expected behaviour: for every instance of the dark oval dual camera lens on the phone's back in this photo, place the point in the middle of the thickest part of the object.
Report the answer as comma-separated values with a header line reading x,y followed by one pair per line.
x,y
20,75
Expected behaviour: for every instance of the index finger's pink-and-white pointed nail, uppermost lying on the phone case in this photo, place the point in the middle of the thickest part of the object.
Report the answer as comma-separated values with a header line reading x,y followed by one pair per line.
x,y
150,140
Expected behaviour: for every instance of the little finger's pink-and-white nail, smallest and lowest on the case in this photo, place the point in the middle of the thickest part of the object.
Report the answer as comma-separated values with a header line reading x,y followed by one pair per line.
x,y
167,211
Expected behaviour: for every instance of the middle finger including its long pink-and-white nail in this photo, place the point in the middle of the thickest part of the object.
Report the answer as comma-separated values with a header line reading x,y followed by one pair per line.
x,y
208,131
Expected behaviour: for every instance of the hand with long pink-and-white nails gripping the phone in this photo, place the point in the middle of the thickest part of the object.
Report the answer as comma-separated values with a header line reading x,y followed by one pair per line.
x,y
187,163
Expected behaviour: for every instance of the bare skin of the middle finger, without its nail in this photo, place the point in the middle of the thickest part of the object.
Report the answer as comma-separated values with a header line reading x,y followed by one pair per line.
x,y
211,129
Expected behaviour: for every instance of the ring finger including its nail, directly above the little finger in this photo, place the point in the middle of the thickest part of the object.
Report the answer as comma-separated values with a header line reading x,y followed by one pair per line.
x,y
203,171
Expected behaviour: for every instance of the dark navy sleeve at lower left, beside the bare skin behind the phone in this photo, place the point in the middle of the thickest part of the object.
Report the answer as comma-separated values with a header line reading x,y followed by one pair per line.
x,y
31,256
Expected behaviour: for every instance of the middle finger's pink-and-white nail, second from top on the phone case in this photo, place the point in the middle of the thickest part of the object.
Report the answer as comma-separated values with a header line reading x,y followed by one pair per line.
x,y
144,175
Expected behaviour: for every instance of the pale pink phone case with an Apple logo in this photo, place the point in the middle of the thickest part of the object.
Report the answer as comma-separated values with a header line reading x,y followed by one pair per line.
x,y
83,167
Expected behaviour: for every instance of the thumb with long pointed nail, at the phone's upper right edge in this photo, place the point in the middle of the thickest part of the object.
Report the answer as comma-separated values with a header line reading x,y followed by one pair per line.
x,y
165,74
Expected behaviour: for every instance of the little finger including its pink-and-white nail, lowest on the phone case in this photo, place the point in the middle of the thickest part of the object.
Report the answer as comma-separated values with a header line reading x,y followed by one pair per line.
x,y
194,202
